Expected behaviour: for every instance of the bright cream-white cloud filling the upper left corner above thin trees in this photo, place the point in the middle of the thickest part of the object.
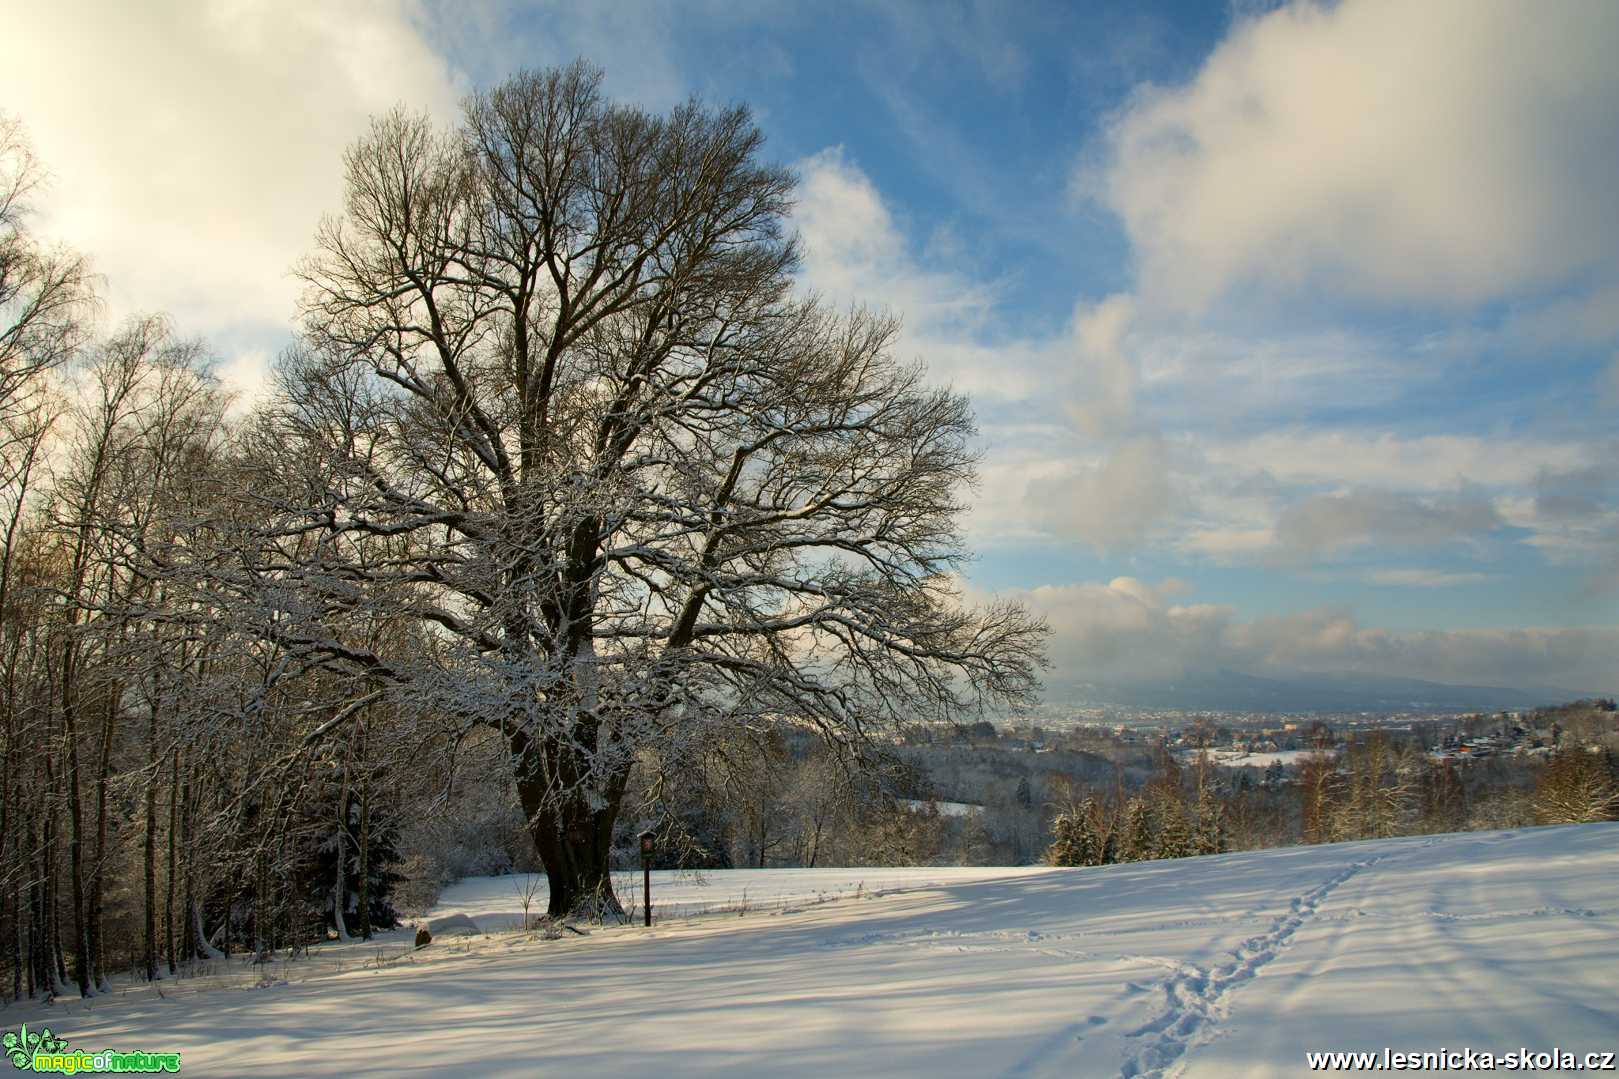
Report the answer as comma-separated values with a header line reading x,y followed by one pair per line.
x,y
193,148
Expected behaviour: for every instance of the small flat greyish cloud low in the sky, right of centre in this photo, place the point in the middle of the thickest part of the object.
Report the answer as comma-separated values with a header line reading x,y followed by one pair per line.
x,y
1332,524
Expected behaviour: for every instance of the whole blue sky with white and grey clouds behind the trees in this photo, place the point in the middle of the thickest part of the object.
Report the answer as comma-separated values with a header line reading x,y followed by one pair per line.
x,y
1293,331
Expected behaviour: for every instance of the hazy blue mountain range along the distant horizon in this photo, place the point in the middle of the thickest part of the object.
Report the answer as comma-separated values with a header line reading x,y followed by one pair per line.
x,y
1234,691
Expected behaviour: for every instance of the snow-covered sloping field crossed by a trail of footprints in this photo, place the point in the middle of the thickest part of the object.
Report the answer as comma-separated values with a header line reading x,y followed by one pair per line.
x,y
1222,966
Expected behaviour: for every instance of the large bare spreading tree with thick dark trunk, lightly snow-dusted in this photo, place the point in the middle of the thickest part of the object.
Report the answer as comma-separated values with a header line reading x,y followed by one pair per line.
x,y
561,419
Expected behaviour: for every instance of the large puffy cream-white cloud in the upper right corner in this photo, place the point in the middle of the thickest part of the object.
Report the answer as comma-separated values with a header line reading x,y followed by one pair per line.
x,y
1443,151
